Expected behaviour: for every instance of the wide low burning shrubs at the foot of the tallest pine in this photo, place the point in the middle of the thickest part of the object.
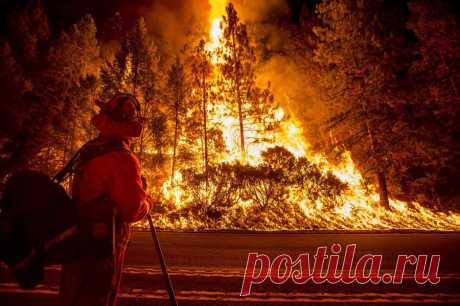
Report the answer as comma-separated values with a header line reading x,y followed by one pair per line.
x,y
264,196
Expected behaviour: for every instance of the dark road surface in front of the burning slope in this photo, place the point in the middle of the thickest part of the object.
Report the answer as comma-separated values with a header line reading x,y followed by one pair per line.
x,y
207,269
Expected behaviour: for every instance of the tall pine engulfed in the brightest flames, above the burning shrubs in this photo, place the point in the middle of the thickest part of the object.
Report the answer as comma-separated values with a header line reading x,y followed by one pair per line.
x,y
254,106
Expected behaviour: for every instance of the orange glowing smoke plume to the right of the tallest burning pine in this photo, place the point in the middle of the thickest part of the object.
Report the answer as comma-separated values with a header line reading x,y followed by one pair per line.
x,y
285,59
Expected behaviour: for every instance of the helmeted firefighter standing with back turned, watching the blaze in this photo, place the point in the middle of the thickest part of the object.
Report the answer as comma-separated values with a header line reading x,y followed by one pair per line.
x,y
109,192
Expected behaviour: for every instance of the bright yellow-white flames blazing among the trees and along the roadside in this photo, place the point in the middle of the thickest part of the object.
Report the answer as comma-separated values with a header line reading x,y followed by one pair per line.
x,y
358,207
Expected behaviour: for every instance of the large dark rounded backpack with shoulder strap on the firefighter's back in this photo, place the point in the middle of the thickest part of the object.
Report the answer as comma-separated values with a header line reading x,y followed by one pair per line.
x,y
40,224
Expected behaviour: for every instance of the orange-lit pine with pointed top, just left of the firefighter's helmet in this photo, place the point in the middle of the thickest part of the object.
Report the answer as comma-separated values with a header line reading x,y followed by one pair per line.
x,y
68,82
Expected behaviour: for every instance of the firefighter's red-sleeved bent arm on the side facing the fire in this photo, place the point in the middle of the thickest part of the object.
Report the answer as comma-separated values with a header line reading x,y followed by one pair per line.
x,y
133,203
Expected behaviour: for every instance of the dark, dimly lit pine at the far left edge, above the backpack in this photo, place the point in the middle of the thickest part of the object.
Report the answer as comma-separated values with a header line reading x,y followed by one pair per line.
x,y
23,58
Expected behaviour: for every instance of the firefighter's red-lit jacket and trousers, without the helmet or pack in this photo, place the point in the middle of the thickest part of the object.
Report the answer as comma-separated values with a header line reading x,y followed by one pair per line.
x,y
116,177
